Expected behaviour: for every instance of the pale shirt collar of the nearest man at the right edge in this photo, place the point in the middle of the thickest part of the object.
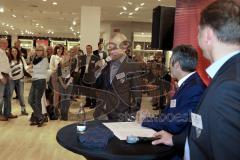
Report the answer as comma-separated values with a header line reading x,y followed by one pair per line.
x,y
213,68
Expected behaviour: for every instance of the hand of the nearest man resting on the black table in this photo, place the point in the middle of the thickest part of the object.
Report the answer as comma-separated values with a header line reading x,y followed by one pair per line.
x,y
164,138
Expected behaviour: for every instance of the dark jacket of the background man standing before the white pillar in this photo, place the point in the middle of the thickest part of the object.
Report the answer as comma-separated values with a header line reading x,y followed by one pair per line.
x,y
89,77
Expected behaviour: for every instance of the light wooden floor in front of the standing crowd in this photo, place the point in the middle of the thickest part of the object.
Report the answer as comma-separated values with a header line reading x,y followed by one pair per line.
x,y
20,141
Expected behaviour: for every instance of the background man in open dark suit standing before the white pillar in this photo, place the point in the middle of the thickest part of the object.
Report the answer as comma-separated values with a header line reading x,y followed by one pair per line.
x,y
87,74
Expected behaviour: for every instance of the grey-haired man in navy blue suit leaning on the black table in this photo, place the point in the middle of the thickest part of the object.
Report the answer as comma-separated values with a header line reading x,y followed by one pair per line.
x,y
174,118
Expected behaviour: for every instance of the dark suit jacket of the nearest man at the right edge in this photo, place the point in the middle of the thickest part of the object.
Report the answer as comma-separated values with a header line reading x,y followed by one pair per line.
x,y
220,112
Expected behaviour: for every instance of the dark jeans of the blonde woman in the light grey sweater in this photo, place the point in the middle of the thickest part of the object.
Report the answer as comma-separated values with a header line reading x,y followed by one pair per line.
x,y
34,99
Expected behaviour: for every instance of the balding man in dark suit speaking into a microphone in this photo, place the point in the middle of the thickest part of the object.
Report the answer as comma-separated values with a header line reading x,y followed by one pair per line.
x,y
119,78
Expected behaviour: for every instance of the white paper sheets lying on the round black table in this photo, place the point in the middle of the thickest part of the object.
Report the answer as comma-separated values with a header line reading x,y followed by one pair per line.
x,y
123,129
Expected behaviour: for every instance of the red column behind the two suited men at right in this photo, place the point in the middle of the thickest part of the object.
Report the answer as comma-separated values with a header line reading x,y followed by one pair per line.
x,y
186,29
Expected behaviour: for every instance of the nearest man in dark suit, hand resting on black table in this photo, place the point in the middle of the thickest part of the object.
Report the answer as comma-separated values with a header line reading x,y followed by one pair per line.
x,y
215,129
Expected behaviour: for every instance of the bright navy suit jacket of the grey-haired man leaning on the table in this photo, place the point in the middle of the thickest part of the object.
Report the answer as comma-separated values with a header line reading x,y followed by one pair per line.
x,y
175,119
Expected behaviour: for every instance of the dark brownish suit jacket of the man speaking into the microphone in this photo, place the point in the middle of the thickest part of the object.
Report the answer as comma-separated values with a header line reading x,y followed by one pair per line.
x,y
122,87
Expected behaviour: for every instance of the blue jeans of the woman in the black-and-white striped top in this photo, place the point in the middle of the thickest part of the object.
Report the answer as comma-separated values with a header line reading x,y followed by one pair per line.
x,y
19,84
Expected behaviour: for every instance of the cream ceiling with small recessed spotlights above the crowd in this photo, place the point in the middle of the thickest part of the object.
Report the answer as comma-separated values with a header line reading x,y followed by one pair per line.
x,y
58,19
